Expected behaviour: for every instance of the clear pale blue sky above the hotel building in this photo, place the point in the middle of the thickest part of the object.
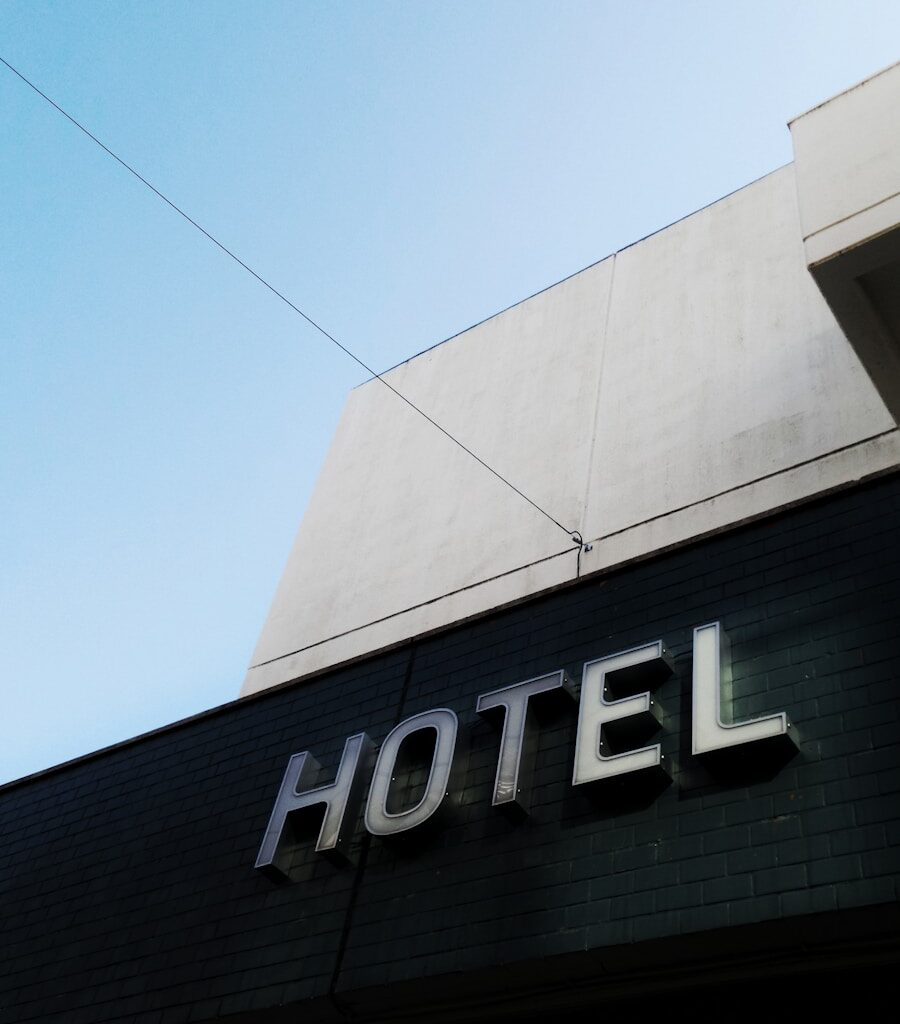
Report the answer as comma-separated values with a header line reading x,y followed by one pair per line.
x,y
401,170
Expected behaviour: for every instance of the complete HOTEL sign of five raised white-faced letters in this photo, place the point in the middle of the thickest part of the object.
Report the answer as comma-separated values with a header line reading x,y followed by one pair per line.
x,y
607,750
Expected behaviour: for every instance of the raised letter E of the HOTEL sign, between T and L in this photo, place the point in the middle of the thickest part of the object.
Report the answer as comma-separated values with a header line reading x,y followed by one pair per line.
x,y
601,719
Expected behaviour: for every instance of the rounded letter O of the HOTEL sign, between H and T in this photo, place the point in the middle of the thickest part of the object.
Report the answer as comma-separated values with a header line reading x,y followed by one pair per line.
x,y
380,821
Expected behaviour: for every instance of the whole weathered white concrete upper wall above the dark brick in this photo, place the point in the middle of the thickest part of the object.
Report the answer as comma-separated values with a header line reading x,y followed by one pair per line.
x,y
692,382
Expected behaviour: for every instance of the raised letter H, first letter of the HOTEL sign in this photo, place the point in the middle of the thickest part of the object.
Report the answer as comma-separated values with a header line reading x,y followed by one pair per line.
x,y
299,790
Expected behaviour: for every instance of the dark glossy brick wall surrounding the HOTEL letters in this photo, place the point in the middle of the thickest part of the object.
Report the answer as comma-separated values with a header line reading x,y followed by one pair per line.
x,y
127,883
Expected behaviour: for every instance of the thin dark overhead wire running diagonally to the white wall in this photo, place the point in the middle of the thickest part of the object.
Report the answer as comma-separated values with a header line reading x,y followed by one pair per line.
x,y
575,536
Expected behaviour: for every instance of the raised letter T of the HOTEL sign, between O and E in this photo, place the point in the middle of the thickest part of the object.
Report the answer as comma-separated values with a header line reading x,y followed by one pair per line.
x,y
512,785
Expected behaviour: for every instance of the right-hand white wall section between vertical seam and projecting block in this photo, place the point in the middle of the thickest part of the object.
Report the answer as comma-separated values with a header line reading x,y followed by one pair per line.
x,y
723,364
